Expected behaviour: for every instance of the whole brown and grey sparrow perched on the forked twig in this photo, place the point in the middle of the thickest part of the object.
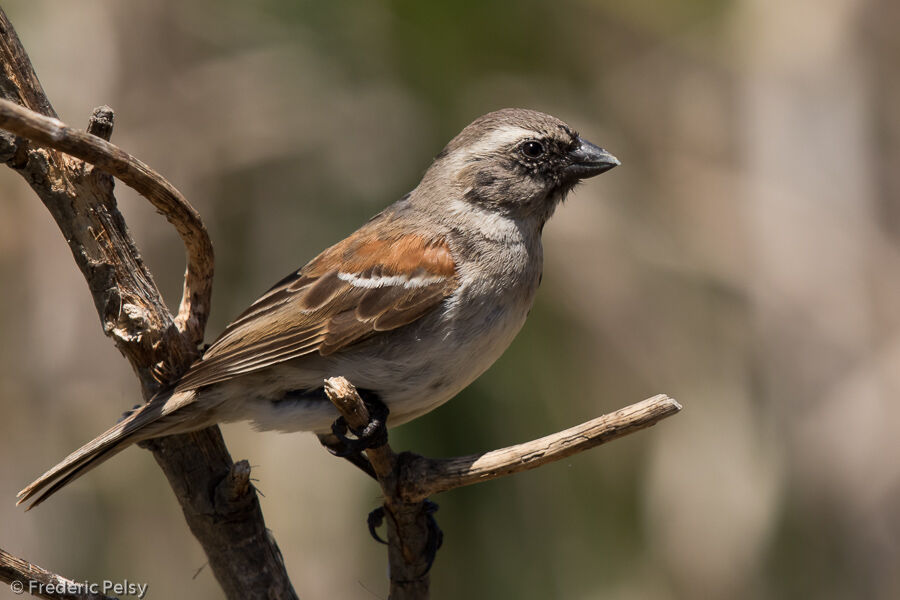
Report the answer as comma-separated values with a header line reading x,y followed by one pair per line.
x,y
410,308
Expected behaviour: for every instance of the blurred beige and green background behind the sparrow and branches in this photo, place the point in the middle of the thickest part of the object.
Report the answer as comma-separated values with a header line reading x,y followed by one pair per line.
x,y
744,259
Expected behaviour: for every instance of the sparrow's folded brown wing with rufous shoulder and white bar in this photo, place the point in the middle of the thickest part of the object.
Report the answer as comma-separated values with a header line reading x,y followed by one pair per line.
x,y
365,284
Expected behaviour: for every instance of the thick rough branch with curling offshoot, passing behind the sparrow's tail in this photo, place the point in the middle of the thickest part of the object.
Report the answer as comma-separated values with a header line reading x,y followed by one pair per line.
x,y
219,504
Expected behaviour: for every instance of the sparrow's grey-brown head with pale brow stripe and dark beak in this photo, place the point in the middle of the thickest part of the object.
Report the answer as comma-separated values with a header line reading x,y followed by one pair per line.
x,y
516,161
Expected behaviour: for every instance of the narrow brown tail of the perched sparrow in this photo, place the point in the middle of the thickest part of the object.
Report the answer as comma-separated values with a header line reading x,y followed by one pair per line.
x,y
142,424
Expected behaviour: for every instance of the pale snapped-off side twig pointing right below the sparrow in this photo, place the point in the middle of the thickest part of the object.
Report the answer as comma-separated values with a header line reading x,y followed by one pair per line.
x,y
423,477
